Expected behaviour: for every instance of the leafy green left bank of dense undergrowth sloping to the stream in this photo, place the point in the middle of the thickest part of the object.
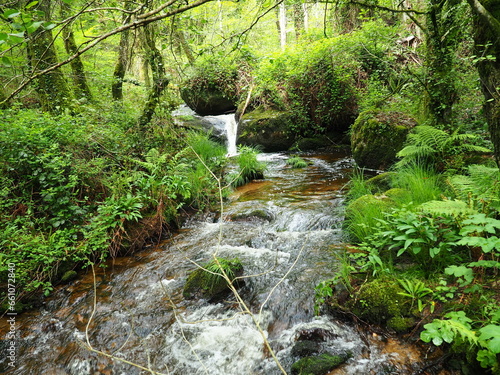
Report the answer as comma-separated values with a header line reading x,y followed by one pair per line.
x,y
76,190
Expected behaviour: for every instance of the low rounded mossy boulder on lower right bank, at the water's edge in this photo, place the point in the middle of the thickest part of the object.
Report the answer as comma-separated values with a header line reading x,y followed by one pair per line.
x,y
379,301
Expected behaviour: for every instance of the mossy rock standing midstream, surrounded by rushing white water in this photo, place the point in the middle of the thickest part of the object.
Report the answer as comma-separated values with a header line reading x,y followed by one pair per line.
x,y
208,282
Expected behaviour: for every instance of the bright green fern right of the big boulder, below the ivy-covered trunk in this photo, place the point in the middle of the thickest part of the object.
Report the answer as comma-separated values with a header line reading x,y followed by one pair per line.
x,y
432,144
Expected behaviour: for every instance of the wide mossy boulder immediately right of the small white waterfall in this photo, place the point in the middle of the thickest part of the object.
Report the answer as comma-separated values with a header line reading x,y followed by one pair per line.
x,y
266,129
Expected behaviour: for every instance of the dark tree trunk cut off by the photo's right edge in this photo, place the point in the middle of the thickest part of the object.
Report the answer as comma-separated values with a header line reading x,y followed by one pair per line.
x,y
487,44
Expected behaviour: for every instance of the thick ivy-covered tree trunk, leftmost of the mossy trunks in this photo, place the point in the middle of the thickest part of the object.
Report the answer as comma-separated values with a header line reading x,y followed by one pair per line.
x,y
51,87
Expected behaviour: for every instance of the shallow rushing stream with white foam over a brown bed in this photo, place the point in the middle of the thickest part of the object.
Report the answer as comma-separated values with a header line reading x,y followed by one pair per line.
x,y
286,230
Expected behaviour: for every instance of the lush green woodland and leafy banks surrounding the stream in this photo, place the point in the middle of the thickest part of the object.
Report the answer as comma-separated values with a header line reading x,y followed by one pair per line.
x,y
93,165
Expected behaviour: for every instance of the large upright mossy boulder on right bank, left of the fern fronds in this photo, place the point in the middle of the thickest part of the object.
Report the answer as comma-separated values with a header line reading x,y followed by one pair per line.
x,y
377,136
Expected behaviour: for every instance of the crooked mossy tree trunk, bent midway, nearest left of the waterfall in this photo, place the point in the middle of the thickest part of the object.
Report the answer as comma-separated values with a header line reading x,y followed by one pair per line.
x,y
160,81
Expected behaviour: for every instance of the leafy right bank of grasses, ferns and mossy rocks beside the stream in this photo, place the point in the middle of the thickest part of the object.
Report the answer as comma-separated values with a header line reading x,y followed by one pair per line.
x,y
425,259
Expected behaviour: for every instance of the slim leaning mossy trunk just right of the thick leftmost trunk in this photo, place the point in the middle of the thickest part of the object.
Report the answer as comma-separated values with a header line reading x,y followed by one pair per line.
x,y
81,87
